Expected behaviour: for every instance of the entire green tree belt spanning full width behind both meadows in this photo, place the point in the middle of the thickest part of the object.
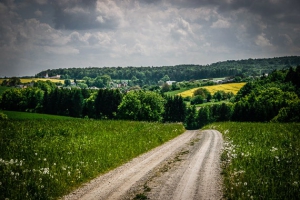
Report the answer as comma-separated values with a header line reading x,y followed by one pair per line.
x,y
273,97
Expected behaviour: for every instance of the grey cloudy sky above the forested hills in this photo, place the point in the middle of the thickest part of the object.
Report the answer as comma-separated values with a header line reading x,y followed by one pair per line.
x,y
36,35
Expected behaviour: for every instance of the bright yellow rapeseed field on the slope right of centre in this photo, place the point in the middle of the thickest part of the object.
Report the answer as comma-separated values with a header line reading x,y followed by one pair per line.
x,y
229,87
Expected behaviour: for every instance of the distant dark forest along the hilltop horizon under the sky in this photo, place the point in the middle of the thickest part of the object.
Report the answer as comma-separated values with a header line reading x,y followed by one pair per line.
x,y
151,75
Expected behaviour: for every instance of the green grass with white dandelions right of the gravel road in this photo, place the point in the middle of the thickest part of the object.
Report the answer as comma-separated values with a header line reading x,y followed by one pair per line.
x,y
260,160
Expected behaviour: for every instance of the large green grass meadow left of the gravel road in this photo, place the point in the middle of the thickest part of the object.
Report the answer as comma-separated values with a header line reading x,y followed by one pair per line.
x,y
44,159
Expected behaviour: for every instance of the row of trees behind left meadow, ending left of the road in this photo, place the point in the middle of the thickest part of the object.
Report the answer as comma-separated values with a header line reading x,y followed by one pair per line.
x,y
96,104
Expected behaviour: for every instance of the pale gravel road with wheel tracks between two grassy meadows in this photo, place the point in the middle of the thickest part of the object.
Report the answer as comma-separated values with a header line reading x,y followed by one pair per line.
x,y
186,167
